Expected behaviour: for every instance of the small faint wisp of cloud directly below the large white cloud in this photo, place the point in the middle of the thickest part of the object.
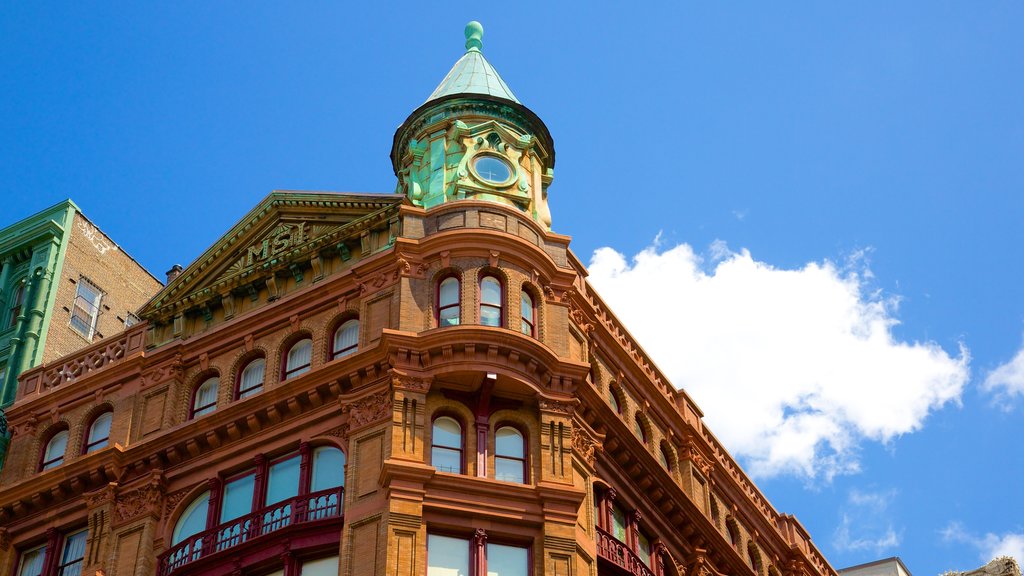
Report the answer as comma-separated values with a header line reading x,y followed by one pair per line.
x,y
867,514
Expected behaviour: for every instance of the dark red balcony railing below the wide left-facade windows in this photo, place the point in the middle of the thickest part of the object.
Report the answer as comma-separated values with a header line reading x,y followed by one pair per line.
x,y
300,510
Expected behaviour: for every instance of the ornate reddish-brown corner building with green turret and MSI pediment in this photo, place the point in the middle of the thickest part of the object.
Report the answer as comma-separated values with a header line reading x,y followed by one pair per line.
x,y
414,384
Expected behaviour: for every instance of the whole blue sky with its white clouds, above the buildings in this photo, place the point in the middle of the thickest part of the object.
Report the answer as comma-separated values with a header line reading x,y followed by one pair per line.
x,y
835,189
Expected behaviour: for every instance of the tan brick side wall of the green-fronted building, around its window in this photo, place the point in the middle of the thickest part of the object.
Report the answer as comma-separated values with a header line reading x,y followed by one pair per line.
x,y
126,286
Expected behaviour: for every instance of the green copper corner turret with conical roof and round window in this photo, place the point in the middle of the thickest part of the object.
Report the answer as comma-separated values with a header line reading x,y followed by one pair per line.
x,y
475,140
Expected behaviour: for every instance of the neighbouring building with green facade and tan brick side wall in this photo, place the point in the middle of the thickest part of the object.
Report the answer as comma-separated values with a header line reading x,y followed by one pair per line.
x,y
64,284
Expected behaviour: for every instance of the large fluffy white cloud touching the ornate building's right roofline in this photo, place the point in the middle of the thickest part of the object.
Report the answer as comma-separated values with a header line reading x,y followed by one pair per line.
x,y
793,368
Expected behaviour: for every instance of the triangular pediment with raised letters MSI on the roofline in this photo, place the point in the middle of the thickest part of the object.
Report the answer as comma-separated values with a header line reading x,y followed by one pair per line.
x,y
285,228
